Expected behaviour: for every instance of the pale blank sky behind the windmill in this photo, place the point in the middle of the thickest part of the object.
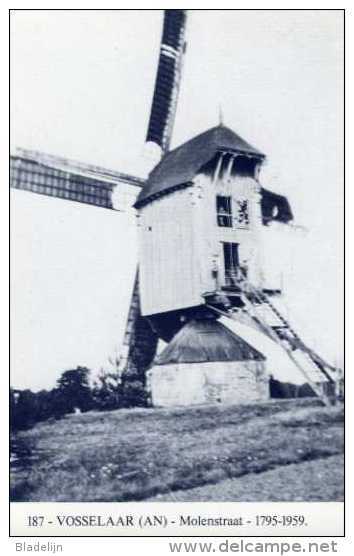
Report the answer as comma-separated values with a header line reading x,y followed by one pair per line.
x,y
82,84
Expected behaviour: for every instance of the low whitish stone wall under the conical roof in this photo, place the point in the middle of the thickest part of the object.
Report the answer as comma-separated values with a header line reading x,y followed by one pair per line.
x,y
204,383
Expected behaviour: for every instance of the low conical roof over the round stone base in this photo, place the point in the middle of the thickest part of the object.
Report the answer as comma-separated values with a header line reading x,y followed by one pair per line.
x,y
205,340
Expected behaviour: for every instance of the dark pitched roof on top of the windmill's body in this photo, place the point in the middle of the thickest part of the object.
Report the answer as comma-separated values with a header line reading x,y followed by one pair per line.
x,y
180,165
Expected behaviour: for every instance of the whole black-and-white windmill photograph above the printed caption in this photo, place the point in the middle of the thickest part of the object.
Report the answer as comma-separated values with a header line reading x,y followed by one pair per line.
x,y
177,296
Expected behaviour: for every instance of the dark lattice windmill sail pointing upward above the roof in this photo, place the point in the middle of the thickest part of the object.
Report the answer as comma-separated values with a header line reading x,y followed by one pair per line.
x,y
168,79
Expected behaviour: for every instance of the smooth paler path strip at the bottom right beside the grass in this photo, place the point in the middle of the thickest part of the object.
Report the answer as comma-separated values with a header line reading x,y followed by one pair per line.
x,y
316,480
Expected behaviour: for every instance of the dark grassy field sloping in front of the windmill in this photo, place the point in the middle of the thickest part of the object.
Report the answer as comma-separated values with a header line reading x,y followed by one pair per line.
x,y
138,454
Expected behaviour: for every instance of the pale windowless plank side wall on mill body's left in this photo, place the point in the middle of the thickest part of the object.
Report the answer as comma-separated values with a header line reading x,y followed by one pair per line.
x,y
168,253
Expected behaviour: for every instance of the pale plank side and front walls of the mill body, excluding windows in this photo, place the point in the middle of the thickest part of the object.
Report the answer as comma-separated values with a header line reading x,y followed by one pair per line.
x,y
181,242
